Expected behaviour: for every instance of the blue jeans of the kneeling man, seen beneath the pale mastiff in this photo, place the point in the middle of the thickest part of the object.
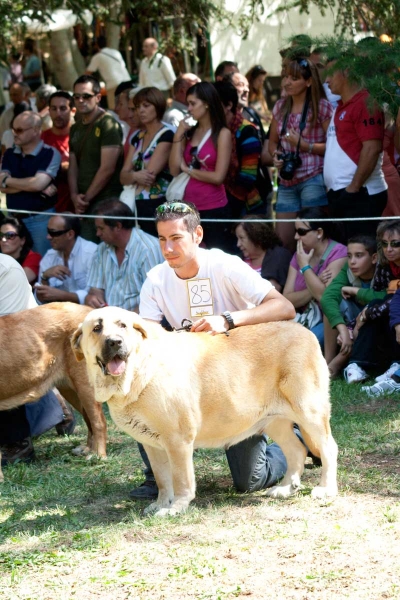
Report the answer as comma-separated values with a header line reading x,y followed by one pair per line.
x,y
253,463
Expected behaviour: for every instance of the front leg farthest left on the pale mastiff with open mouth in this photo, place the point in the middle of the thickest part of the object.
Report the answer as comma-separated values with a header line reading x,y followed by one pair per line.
x,y
162,473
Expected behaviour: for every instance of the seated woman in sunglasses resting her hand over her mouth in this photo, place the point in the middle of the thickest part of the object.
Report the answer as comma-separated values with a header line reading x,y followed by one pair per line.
x,y
317,261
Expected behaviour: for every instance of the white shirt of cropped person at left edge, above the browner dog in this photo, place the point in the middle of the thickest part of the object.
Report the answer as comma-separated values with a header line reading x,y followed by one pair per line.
x,y
15,291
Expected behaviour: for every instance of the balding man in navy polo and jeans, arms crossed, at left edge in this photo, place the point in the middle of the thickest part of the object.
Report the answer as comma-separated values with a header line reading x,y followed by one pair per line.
x,y
27,175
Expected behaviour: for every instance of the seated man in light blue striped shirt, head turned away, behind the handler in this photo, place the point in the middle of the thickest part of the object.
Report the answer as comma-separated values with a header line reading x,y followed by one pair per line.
x,y
122,260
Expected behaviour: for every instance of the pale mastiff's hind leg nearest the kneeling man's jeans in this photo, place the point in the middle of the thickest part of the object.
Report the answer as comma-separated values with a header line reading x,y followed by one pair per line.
x,y
281,431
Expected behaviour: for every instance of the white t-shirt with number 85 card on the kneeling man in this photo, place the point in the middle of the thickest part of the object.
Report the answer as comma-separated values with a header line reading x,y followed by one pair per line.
x,y
223,282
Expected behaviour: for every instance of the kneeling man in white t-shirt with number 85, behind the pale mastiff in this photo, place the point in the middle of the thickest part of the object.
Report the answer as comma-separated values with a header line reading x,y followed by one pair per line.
x,y
214,292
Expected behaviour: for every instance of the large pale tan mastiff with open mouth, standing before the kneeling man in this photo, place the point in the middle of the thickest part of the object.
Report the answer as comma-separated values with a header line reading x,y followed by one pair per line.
x,y
174,392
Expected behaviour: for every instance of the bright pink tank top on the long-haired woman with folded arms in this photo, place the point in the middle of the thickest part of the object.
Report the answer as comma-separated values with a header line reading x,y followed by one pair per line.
x,y
205,196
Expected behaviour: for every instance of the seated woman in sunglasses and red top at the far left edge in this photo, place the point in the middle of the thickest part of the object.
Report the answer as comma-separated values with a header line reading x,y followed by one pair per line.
x,y
16,241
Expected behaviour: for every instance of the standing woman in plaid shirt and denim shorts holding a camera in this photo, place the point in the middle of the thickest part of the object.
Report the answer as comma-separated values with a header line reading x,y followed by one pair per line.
x,y
298,153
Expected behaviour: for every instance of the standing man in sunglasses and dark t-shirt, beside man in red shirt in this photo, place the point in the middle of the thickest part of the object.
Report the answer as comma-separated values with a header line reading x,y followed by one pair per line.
x,y
96,153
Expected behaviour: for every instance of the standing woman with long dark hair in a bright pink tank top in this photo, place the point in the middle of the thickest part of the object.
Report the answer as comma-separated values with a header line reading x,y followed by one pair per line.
x,y
208,165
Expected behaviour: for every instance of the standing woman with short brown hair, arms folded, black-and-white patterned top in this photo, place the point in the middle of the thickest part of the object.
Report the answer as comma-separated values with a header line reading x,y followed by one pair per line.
x,y
146,166
